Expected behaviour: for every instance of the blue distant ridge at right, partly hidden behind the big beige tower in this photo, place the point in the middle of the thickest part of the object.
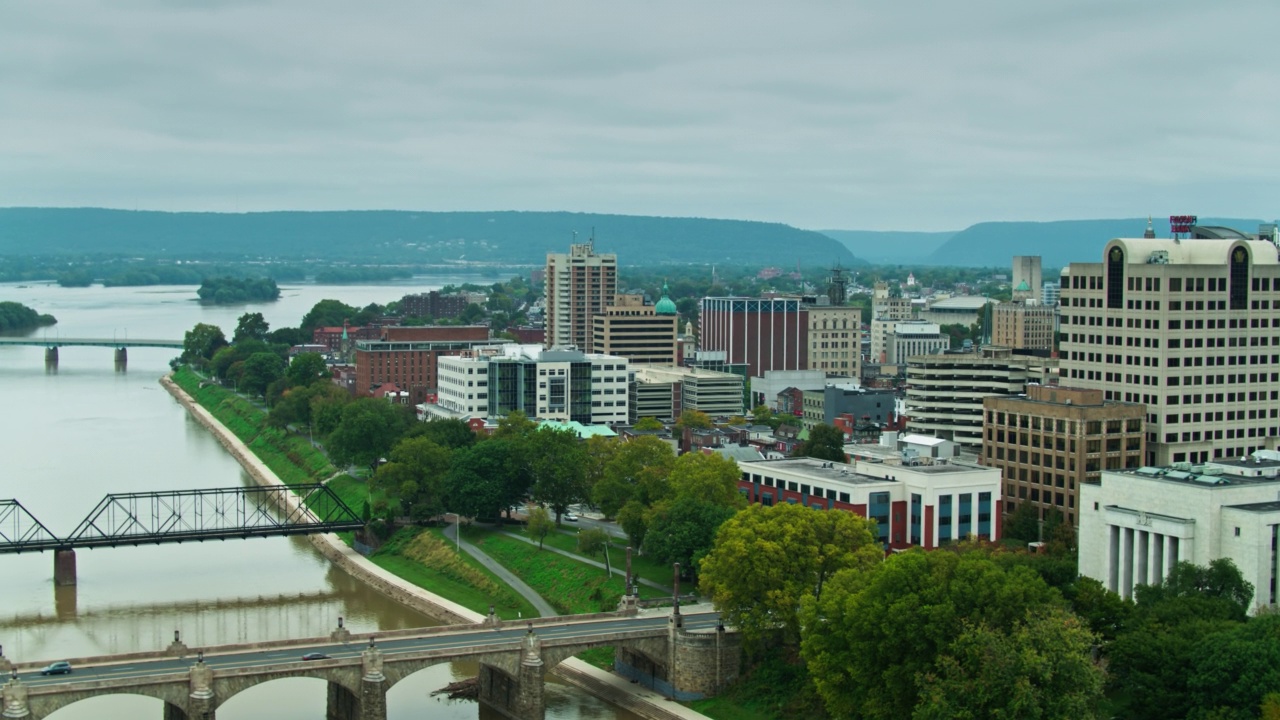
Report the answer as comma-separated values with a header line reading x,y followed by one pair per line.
x,y
1057,243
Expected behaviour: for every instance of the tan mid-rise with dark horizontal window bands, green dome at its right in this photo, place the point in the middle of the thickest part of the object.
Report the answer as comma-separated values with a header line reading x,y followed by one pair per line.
x,y
646,335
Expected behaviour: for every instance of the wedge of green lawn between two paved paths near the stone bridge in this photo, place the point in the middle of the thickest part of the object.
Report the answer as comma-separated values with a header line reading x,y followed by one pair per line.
x,y
568,585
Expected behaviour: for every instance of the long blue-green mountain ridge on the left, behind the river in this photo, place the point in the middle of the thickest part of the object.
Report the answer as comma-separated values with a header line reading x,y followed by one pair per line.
x,y
409,238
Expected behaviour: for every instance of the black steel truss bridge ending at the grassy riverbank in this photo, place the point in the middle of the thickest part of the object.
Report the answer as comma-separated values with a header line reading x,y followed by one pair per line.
x,y
154,518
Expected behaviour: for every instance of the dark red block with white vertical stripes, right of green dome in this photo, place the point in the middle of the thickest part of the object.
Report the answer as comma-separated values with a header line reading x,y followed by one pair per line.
x,y
766,335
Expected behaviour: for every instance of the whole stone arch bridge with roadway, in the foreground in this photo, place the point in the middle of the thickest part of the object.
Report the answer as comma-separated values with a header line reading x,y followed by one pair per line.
x,y
362,668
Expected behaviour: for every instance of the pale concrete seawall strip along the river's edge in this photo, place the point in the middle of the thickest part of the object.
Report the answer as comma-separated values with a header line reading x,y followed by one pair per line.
x,y
601,683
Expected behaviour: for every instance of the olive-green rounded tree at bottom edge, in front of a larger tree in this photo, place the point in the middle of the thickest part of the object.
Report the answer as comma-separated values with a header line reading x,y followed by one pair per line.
x,y
1040,668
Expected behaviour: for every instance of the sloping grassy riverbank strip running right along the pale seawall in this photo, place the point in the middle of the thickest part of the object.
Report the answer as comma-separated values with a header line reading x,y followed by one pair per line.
x,y
420,557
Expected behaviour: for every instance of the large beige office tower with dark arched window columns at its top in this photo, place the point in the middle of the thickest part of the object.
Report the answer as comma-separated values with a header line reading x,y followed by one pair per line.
x,y
1188,327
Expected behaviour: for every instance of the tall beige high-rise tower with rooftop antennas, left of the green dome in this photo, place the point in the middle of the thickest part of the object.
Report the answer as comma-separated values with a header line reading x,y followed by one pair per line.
x,y
579,285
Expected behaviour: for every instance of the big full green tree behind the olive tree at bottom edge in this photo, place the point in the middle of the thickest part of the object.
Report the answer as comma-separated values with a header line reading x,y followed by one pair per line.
x,y
874,634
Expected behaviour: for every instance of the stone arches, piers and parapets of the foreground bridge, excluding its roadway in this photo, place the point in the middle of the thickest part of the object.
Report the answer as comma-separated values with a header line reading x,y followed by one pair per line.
x,y
685,664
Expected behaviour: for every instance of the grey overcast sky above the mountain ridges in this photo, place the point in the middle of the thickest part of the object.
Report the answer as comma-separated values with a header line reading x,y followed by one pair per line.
x,y
870,115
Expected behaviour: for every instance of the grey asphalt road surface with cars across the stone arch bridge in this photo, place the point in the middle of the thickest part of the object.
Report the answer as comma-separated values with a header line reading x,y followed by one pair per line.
x,y
341,654
